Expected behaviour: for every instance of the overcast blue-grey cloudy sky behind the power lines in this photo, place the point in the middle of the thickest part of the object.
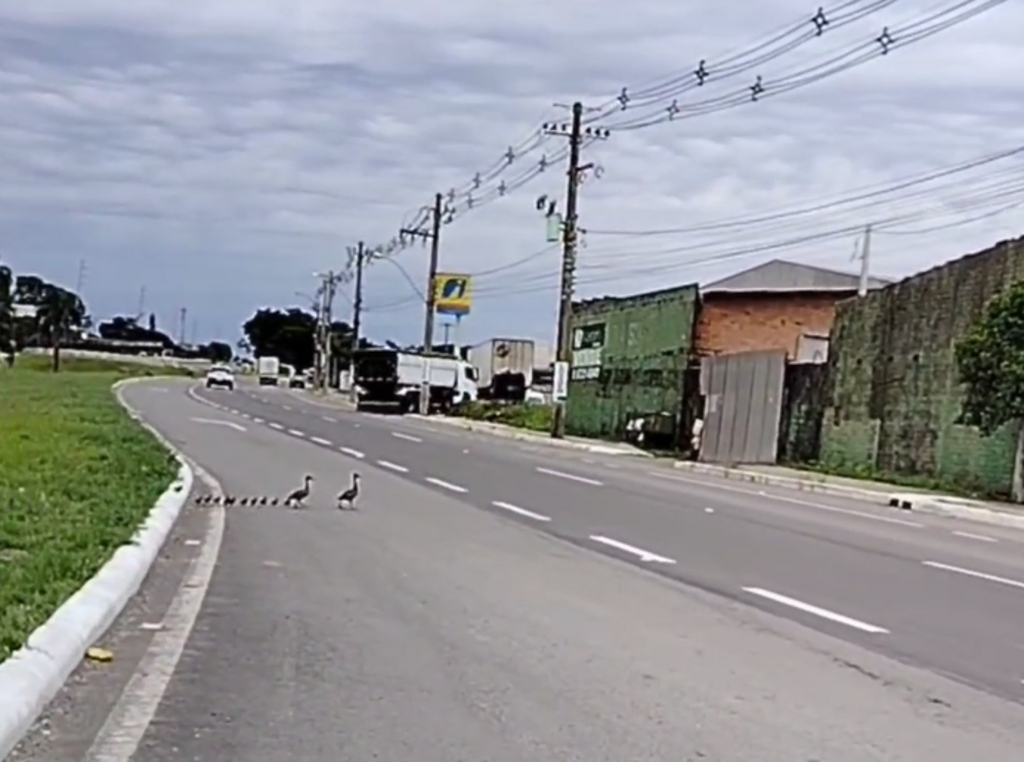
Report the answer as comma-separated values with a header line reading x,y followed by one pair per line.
x,y
219,153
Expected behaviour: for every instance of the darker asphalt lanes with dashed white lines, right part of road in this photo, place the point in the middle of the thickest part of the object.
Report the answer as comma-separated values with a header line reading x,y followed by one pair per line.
x,y
946,596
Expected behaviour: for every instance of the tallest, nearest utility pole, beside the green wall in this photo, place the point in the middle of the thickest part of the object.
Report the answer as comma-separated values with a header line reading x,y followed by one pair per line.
x,y
571,230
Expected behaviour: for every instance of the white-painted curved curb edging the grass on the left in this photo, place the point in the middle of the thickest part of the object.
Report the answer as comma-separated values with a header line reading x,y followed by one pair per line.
x,y
34,675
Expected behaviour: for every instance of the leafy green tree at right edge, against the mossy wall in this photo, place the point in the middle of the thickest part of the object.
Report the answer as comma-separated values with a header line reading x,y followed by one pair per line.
x,y
991,364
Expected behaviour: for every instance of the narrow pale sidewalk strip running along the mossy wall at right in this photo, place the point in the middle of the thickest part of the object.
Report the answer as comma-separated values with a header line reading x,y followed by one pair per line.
x,y
900,498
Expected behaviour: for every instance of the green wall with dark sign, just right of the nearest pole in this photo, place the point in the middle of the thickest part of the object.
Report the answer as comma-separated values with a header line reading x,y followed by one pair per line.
x,y
646,351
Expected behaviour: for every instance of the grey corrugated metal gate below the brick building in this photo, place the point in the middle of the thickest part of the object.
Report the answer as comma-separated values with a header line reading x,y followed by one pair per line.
x,y
743,407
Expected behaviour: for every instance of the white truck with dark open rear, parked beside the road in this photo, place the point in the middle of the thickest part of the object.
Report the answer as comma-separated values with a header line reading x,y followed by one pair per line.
x,y
394,378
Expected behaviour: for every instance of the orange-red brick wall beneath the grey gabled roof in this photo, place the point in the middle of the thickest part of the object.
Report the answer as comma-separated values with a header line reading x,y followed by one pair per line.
x,y
740,323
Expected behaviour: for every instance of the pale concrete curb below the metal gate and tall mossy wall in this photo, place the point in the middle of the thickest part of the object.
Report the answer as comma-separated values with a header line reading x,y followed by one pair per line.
x,y
940,505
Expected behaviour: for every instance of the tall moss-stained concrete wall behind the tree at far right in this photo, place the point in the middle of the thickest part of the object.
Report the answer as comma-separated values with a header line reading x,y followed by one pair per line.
x,y
895,397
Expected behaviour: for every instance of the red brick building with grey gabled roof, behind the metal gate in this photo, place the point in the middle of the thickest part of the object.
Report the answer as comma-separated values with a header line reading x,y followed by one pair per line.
x,y
776,306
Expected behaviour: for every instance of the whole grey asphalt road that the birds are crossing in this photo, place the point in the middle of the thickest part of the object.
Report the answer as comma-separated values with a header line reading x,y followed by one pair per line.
x,y
438,624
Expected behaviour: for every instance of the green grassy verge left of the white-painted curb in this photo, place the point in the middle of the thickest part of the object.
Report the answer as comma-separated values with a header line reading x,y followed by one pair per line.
x,y
77,479
